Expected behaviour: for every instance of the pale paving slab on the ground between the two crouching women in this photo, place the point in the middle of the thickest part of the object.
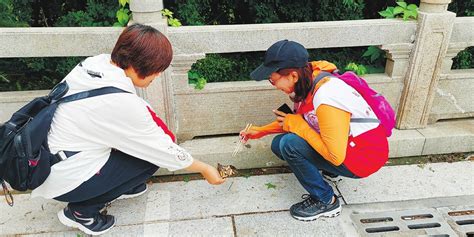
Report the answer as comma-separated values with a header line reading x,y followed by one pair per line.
x,y
198,199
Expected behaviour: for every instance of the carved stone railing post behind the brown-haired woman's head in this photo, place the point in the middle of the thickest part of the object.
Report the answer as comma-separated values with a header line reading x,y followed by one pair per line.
x,y
157,94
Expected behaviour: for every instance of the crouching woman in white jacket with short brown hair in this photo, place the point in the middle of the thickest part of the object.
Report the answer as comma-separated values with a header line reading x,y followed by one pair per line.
x,y
113,143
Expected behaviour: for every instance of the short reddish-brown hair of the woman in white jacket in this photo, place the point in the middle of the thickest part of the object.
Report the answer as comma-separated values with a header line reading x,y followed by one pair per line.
x,y
144,48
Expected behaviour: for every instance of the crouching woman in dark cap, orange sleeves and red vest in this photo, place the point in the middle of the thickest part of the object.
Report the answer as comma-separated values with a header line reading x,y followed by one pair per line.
x,y
322,135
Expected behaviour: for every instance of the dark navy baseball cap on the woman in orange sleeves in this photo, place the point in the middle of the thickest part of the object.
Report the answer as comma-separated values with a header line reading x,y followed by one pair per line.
x,y
282,54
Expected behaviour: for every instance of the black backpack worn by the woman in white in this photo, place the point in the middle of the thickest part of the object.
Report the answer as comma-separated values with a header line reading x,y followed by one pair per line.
x,y
25,159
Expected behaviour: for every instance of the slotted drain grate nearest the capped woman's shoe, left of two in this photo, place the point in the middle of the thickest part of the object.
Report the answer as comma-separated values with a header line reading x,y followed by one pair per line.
x,y
425,222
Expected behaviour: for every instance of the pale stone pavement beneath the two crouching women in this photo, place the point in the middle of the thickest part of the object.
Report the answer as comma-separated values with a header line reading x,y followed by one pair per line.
x,y
412,200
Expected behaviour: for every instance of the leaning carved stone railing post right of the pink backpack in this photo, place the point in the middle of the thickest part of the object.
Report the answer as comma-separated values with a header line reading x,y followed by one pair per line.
x,y
435,25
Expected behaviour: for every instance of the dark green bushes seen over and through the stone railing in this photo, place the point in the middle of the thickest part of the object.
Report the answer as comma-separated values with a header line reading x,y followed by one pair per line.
x,y
43,73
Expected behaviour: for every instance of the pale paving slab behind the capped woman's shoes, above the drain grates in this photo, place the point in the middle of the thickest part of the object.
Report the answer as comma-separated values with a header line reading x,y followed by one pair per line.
x,y
406,182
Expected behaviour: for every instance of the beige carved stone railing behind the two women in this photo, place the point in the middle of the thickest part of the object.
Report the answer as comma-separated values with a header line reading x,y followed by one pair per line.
x,y
418,80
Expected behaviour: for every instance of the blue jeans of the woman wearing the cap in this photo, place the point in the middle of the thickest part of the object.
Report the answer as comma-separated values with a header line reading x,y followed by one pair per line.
x,y
305,163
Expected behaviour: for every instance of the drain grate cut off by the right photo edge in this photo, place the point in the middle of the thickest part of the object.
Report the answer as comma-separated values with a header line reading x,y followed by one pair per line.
x,y
460,218
